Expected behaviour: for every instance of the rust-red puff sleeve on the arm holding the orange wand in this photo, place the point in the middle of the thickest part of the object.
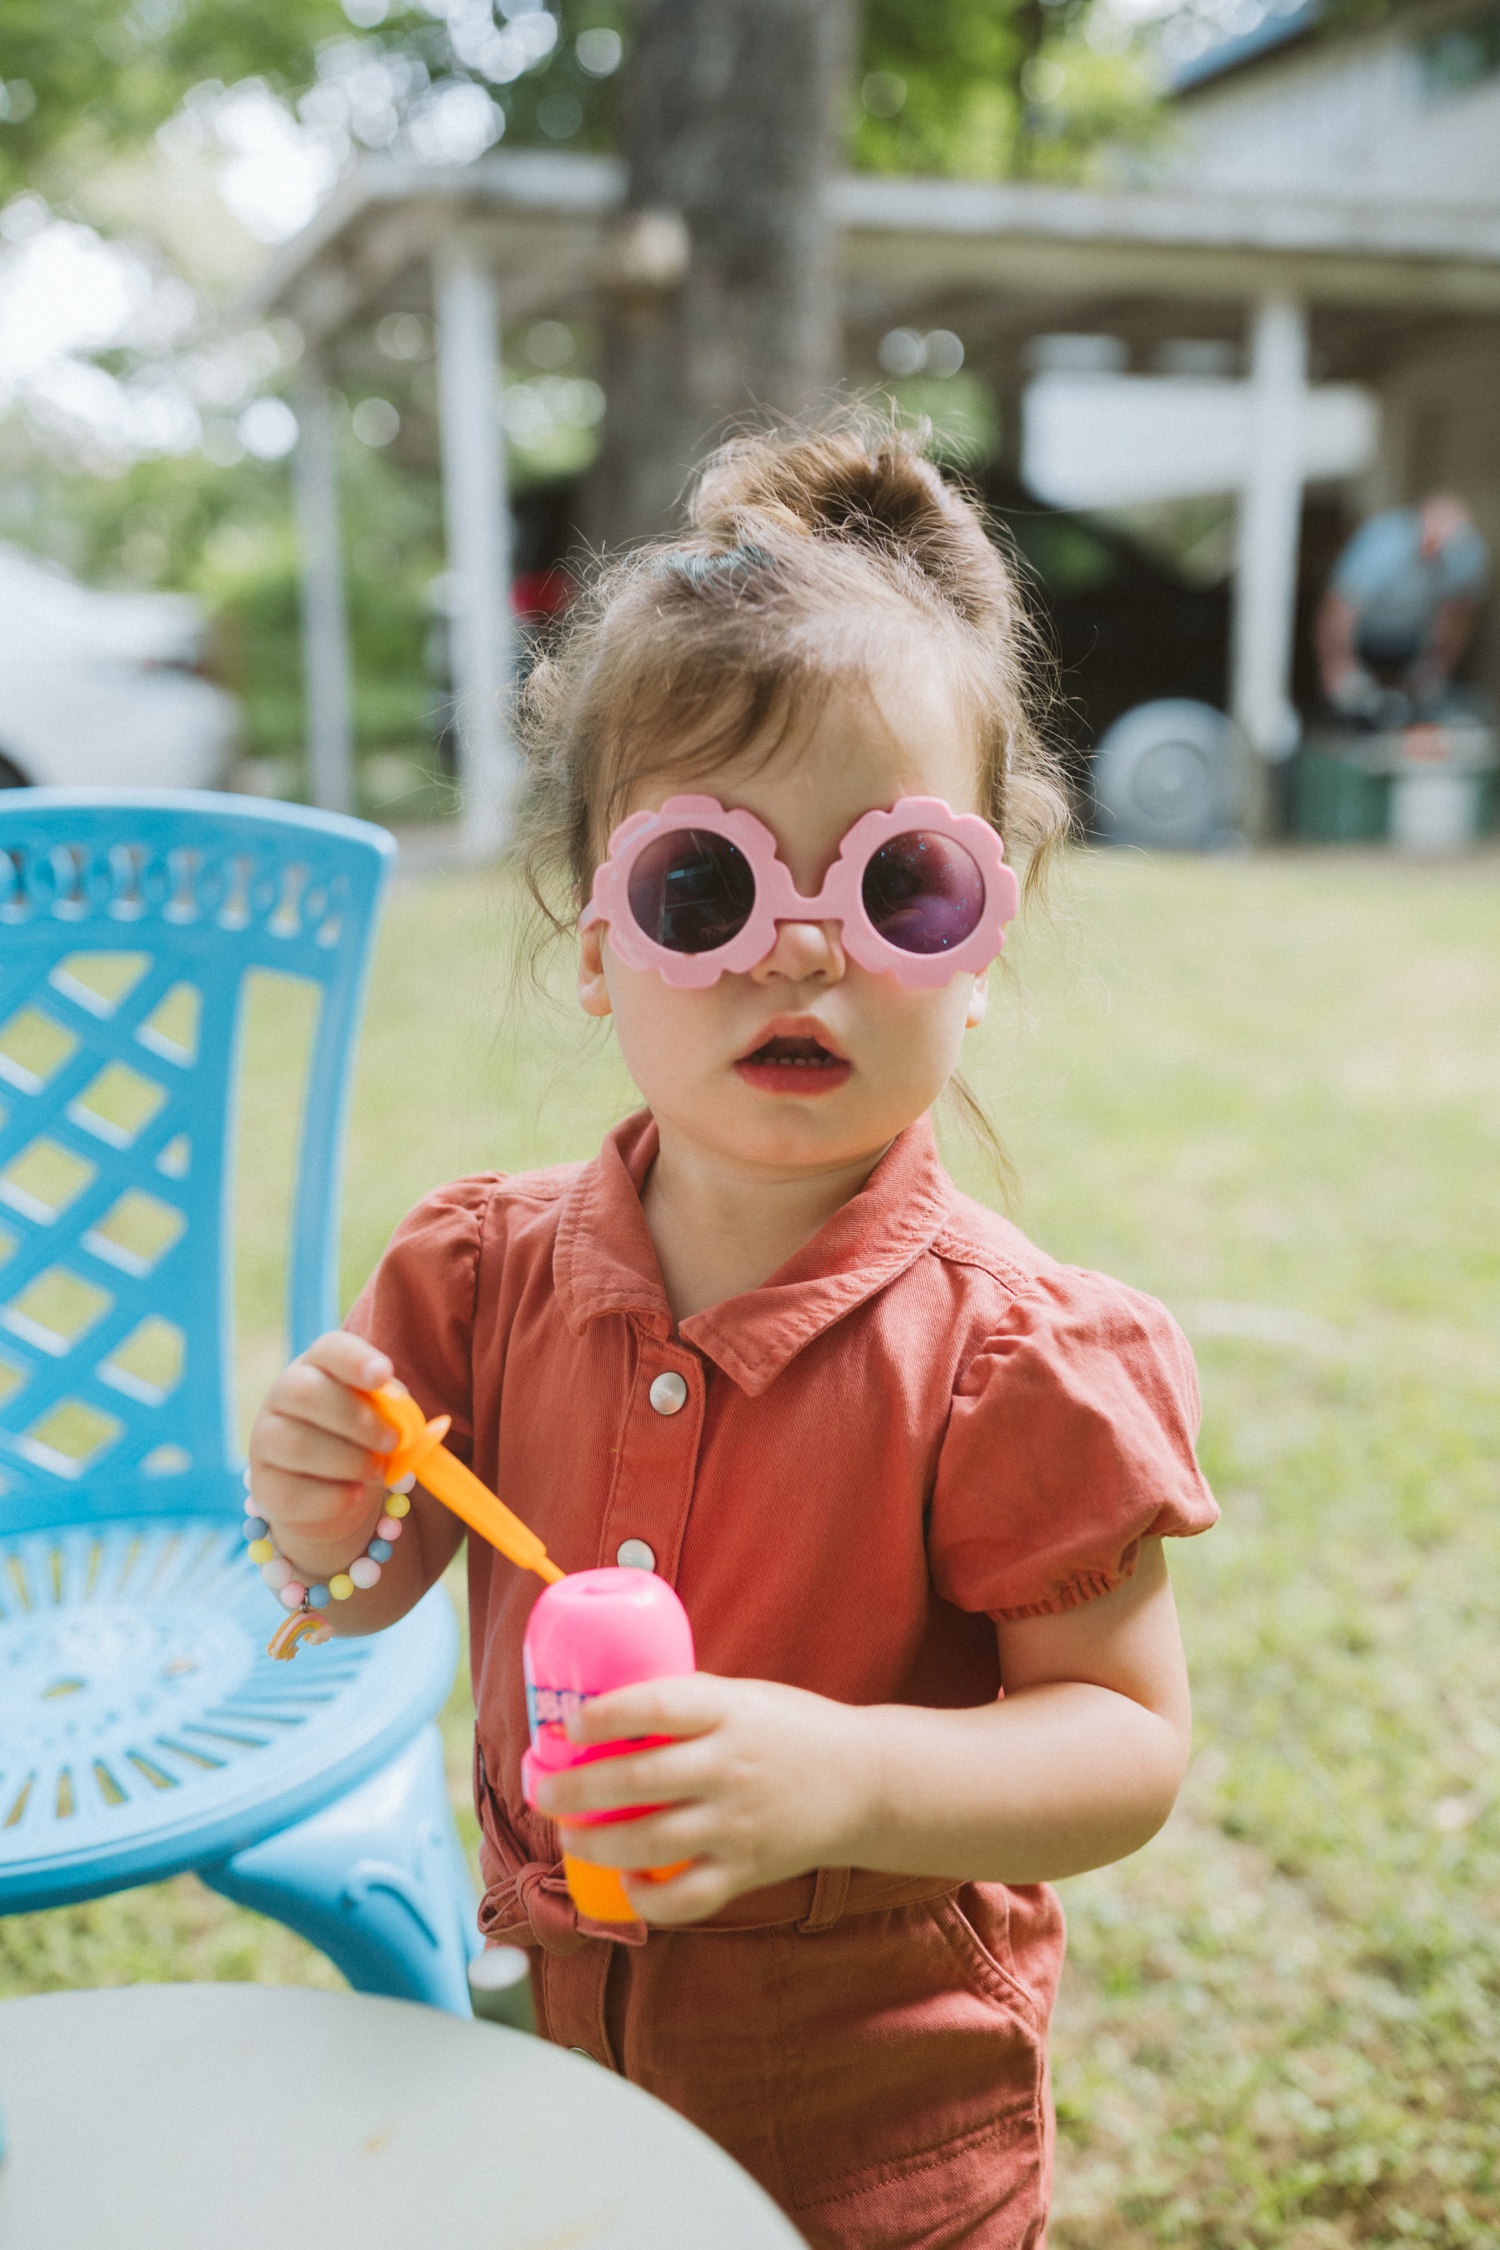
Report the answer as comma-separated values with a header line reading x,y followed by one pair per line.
x,y
419,1304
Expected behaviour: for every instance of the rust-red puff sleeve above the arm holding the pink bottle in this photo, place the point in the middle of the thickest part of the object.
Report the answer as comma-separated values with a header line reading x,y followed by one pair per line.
x,y
1072,1439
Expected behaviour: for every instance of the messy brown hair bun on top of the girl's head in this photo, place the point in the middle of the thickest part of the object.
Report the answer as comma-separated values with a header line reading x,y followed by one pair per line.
x,y
858,489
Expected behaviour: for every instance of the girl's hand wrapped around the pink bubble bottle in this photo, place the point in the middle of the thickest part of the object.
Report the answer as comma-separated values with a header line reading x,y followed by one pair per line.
x,y
761,1783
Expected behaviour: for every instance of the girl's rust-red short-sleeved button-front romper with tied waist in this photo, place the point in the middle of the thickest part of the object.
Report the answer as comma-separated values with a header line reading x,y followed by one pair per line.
x,y
916,1428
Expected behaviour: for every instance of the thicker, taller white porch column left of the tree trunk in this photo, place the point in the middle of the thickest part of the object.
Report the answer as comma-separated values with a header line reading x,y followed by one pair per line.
x,y
478,539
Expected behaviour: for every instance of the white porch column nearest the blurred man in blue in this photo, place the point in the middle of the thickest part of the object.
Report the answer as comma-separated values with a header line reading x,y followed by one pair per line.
x,y
1269,523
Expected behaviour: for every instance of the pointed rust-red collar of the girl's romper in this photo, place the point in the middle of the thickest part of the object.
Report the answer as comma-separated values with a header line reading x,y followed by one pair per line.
x,y
606,1259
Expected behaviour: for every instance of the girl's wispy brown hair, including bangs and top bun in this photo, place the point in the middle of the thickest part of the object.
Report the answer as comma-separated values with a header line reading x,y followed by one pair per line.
x,y
811,555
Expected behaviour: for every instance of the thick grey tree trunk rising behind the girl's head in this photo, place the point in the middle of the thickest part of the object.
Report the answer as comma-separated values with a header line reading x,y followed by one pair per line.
x,y
723,303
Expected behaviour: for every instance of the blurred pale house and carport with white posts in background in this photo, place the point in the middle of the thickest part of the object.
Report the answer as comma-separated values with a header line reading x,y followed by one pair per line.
x,y
1344,323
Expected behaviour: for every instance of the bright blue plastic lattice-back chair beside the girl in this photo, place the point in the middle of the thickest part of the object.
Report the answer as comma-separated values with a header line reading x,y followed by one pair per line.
x,y
143,1725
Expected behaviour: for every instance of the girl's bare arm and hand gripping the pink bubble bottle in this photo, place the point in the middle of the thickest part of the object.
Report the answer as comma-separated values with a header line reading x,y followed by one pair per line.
x,y
1072,1770
